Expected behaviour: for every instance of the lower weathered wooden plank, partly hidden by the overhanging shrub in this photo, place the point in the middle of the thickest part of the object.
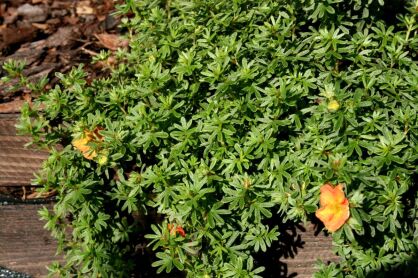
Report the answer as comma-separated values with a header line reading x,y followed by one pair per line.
x,y
26,247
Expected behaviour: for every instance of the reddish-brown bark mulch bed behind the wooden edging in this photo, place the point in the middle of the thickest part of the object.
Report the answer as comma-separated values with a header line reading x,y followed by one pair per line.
x,y
50,36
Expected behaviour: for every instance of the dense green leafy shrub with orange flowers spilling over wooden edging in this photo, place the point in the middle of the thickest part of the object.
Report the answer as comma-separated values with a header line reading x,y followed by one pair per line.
x,y
224,114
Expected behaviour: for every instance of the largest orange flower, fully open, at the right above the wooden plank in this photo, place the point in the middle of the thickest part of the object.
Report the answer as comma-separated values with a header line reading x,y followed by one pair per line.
x,y
334,210
